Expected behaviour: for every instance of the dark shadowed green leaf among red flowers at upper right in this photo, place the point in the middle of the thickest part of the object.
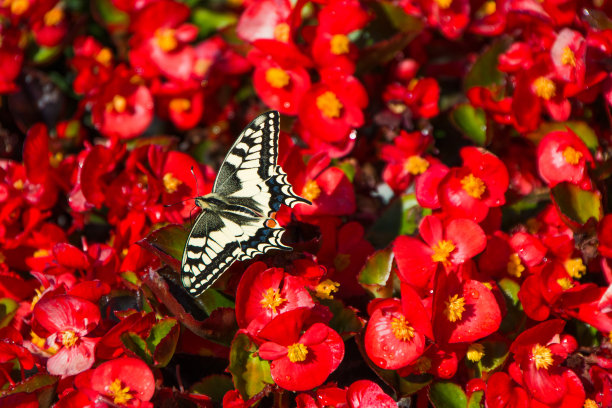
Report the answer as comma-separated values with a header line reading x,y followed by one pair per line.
x,y
484,72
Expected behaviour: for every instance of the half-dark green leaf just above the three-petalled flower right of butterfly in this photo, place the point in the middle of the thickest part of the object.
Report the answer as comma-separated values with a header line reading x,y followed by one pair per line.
x,y
400,218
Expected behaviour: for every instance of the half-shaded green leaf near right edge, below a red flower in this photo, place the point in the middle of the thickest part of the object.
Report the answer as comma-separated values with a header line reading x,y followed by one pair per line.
x,y
576,204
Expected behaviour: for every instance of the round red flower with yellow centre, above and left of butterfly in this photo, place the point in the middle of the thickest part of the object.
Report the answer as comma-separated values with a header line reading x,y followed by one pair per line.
x,y
123,109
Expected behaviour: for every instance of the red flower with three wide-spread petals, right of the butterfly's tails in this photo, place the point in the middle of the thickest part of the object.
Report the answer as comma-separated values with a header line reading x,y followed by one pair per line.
x,y
453,244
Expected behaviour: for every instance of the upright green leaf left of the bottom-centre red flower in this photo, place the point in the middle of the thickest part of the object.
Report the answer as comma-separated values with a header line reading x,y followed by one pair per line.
x,y
249,372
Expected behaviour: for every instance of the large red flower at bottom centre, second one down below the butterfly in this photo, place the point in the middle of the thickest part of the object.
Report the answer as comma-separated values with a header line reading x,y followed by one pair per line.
x,y
302,358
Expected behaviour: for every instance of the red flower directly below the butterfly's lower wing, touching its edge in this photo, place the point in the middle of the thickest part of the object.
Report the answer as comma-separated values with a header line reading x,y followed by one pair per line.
x,y
264,293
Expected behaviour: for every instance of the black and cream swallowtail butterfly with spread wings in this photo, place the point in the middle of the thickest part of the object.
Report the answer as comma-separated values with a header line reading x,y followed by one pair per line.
x,y
237,218
